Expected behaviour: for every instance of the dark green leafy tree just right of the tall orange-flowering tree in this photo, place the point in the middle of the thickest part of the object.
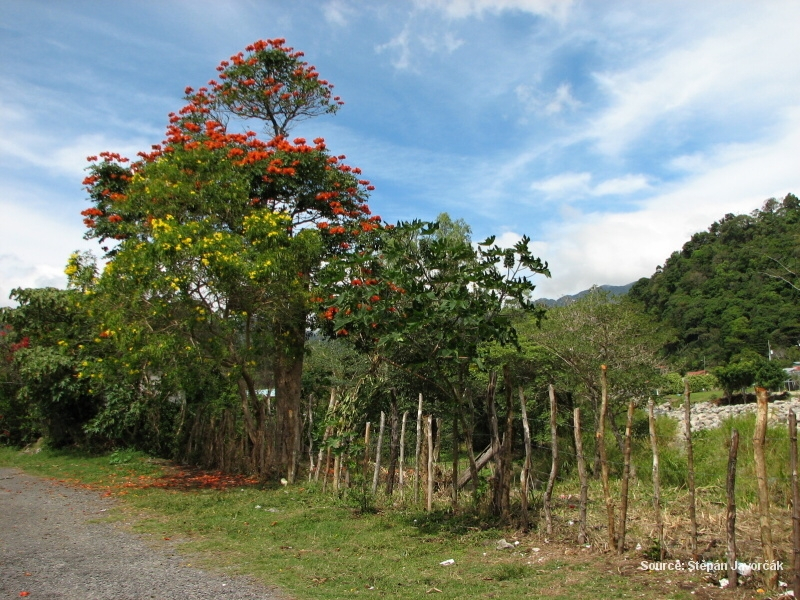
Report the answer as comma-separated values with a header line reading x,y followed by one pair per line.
x,y
428,302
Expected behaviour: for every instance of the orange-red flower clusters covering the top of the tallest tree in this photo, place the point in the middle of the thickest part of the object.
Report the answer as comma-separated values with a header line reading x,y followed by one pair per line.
x,y
195,126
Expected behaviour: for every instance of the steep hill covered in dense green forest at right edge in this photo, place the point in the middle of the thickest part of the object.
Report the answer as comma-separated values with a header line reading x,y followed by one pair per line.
x,y
732,290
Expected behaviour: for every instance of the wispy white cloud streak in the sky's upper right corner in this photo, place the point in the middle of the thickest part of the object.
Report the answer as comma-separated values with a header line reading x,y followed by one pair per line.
x,y
736,65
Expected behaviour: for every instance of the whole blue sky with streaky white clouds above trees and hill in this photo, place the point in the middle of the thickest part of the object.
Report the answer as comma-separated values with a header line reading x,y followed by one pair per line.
x,y
608,132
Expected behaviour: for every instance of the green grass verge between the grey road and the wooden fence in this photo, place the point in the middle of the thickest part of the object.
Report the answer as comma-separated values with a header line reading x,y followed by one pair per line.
x,y
315,545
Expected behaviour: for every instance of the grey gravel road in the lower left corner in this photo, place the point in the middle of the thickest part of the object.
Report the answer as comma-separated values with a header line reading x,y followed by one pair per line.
x,y
52,547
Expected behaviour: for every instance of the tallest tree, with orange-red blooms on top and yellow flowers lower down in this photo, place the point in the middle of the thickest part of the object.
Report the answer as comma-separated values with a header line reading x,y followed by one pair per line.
x,y
219,235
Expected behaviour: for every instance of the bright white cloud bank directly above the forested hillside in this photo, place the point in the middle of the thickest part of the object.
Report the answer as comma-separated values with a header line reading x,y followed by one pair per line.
x,y
617,248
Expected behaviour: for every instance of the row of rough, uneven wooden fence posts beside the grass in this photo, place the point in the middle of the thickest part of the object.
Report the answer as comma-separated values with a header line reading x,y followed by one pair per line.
x,y
500,450
